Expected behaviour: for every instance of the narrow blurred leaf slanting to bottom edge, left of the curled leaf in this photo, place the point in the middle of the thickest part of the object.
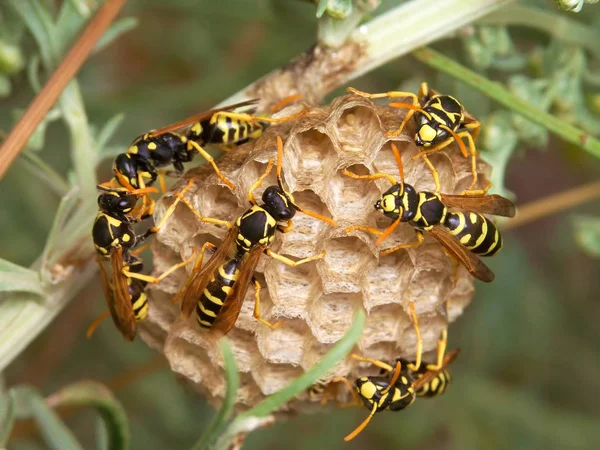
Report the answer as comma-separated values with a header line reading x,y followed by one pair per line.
x,y
55,433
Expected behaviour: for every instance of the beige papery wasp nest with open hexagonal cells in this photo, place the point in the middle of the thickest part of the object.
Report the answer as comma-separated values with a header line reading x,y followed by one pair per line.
x,y
316,301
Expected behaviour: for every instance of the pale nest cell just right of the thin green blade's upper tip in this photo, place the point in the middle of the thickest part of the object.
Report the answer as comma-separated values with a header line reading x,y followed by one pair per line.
x,y
382,325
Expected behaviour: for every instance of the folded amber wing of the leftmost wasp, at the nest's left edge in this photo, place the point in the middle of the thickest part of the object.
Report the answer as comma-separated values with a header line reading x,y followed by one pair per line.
x,y
117,295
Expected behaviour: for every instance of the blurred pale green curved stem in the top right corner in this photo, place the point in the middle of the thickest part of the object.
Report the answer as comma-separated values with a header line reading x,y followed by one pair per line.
x,y
557,25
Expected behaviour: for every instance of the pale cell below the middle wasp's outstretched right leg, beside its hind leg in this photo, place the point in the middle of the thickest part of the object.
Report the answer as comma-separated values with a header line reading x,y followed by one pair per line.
x,y
292,289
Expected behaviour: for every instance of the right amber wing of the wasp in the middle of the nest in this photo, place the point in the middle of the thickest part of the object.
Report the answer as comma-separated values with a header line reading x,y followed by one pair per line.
x,y
233,304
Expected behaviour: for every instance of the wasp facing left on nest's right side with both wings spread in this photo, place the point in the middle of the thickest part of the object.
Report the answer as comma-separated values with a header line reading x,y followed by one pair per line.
x,y
465,234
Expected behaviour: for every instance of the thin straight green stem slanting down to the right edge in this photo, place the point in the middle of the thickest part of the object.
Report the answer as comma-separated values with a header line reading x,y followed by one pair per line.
x,y
503,96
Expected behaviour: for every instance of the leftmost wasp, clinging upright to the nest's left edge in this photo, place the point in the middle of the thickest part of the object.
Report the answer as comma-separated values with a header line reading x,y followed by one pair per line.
x,y
114,239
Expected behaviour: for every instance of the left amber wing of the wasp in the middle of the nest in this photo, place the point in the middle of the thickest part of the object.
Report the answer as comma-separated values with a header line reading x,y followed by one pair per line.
x,y
198,280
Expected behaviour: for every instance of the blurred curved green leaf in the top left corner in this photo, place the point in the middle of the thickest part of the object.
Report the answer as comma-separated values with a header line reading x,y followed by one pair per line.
x,y
39,23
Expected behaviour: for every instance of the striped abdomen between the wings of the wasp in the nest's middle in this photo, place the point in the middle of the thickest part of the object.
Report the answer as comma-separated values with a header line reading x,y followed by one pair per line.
x,y
216,292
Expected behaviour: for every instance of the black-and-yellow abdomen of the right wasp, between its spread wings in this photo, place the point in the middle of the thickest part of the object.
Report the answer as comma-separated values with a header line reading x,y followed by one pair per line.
x,y
477,233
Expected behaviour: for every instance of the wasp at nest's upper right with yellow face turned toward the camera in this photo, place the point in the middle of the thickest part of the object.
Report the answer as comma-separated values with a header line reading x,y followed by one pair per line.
x,y
440,120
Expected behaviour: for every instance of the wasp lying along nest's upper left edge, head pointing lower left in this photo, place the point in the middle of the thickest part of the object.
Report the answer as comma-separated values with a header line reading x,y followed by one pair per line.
x,y
178,143
